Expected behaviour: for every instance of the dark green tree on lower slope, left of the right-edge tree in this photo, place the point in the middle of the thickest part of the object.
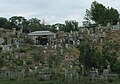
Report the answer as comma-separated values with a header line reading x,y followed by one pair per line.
x,y
89,55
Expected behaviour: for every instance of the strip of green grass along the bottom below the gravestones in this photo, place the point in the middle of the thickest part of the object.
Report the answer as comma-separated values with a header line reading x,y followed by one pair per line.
x,y
33,80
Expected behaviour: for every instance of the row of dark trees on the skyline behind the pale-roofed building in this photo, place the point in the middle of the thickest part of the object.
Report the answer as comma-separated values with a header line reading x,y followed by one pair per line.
x,y
35,24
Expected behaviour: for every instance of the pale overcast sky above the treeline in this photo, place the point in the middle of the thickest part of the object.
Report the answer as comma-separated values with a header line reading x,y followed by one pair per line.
x,y
51,11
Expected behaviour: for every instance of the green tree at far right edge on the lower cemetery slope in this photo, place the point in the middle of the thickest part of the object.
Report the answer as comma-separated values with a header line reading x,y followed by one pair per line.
x,y
109,52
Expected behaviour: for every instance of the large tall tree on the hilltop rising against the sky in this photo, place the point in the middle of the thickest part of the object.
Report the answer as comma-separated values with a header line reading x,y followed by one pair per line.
x,y
100,14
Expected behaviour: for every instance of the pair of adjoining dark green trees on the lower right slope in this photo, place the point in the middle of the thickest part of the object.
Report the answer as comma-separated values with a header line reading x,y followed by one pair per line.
x,y
91,56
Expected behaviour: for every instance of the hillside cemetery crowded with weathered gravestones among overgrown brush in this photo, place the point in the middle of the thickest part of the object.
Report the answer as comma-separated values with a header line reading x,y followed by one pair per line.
x,y
57,56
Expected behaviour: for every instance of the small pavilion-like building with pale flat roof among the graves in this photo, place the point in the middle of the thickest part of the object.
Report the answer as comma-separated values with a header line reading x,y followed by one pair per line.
x,y
42,37
